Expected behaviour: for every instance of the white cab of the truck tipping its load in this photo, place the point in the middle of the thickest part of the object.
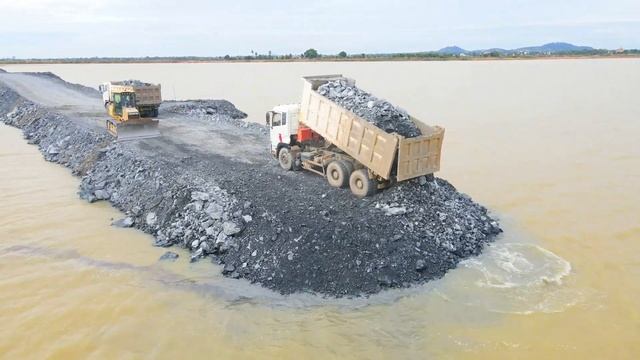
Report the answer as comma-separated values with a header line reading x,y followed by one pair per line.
x,y
283,124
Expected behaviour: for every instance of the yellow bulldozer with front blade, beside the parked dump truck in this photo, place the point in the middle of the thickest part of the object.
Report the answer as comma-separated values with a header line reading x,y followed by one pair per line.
x,y
126,122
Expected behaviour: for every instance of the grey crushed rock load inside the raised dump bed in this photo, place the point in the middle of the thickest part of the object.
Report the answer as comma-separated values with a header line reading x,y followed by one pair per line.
x,y
376,111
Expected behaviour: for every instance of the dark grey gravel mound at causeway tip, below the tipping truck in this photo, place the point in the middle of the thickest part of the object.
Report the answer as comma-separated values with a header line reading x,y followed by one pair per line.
x,y
338,245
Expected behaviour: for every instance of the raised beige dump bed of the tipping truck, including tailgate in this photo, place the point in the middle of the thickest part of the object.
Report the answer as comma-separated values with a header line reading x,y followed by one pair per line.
x,y
365,142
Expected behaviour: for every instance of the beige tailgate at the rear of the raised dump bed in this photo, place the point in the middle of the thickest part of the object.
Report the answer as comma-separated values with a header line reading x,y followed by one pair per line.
x,y
420,155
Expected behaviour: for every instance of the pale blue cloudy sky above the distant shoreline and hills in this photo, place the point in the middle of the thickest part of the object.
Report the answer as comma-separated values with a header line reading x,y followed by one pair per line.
x,y
136,28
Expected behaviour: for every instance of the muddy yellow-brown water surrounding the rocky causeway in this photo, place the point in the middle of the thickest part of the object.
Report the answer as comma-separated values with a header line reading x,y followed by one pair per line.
x,y
550,146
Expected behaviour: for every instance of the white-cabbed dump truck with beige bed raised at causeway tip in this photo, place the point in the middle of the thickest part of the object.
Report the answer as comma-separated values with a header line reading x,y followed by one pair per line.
x,y
323,137
